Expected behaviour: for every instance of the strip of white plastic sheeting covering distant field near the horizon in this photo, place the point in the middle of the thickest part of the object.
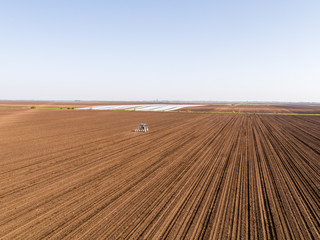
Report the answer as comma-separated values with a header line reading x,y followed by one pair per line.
x,y
142,107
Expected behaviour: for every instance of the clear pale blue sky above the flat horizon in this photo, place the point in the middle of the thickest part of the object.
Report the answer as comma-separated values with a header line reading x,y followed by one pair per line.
x,y
174,50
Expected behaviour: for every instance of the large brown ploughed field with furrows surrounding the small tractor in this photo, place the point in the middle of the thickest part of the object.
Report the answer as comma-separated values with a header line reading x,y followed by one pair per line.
x,y
85,175
